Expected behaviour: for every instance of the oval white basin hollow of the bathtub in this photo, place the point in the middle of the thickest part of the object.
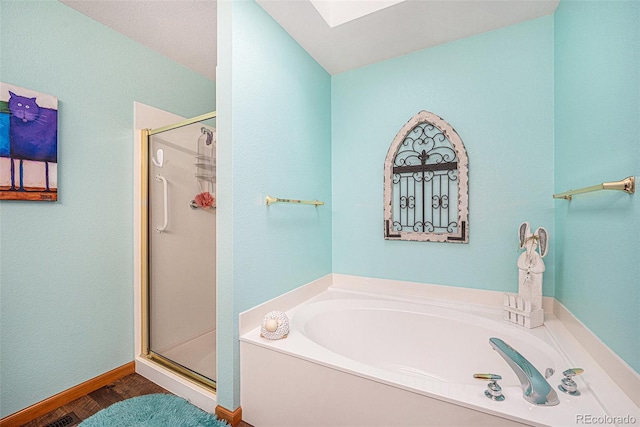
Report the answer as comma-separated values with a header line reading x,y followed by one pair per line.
x,y
411,342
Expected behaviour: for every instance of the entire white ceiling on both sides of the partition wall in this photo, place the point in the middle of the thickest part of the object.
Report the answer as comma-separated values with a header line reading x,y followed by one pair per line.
x,y
185,30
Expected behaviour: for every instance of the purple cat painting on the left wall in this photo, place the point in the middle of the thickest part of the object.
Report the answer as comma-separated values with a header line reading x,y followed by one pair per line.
x,y
28,144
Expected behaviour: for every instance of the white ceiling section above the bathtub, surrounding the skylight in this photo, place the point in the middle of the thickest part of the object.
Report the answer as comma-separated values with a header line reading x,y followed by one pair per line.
x,y
399,29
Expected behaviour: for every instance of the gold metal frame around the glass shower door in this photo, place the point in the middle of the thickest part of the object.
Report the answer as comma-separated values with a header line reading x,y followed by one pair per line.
x,y
147,353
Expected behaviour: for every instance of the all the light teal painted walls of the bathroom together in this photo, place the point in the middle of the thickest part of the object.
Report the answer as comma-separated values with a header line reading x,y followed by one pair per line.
x,y
523,98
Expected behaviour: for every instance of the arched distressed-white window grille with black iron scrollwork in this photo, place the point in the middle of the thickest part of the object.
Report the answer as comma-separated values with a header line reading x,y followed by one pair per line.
x,y
426,183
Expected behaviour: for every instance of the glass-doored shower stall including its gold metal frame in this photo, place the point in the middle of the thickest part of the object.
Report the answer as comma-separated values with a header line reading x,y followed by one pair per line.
x,y
178,242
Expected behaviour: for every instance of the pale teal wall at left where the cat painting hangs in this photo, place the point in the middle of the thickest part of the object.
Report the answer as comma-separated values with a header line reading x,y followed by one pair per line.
x,y
66,306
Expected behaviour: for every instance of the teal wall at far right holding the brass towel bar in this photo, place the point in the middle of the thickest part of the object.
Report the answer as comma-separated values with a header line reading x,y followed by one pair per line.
x,y
597,133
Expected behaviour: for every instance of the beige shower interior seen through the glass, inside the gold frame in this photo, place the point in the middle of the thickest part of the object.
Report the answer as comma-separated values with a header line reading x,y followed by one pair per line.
x,y
182,265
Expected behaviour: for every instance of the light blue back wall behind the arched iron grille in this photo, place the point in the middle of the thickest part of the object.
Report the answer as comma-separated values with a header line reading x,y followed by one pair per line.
x,y
496,90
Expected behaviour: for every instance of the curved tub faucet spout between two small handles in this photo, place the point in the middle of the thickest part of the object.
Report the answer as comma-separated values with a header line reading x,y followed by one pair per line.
x,y
535,388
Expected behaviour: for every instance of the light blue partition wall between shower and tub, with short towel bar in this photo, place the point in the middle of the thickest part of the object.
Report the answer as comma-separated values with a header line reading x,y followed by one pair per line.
x,y
275,140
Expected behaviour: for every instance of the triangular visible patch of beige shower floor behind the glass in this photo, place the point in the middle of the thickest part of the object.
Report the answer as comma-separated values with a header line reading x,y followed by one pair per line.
x,y
198,354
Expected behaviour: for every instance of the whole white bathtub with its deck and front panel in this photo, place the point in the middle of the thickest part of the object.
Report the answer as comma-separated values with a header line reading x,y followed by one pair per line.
x,y
354,359
